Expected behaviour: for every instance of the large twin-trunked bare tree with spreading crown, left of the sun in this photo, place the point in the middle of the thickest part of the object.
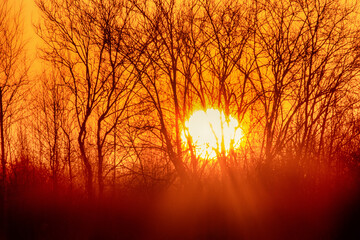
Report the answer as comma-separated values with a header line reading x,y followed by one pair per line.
x,y
85,39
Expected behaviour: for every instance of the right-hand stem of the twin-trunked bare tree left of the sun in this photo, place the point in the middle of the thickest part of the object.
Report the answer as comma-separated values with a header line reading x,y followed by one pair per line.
x,y
117,75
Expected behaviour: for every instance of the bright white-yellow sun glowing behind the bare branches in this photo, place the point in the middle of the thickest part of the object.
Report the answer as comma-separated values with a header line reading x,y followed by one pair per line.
x,y
210,130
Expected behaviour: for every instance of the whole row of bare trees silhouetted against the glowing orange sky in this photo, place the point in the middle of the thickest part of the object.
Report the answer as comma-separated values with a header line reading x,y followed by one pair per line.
x,y
121,78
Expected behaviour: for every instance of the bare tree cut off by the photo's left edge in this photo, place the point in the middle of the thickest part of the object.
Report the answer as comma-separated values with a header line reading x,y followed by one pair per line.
x,y
13,74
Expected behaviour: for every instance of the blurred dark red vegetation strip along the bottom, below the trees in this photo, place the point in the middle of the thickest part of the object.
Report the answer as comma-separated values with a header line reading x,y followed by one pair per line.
x,y
281,204
